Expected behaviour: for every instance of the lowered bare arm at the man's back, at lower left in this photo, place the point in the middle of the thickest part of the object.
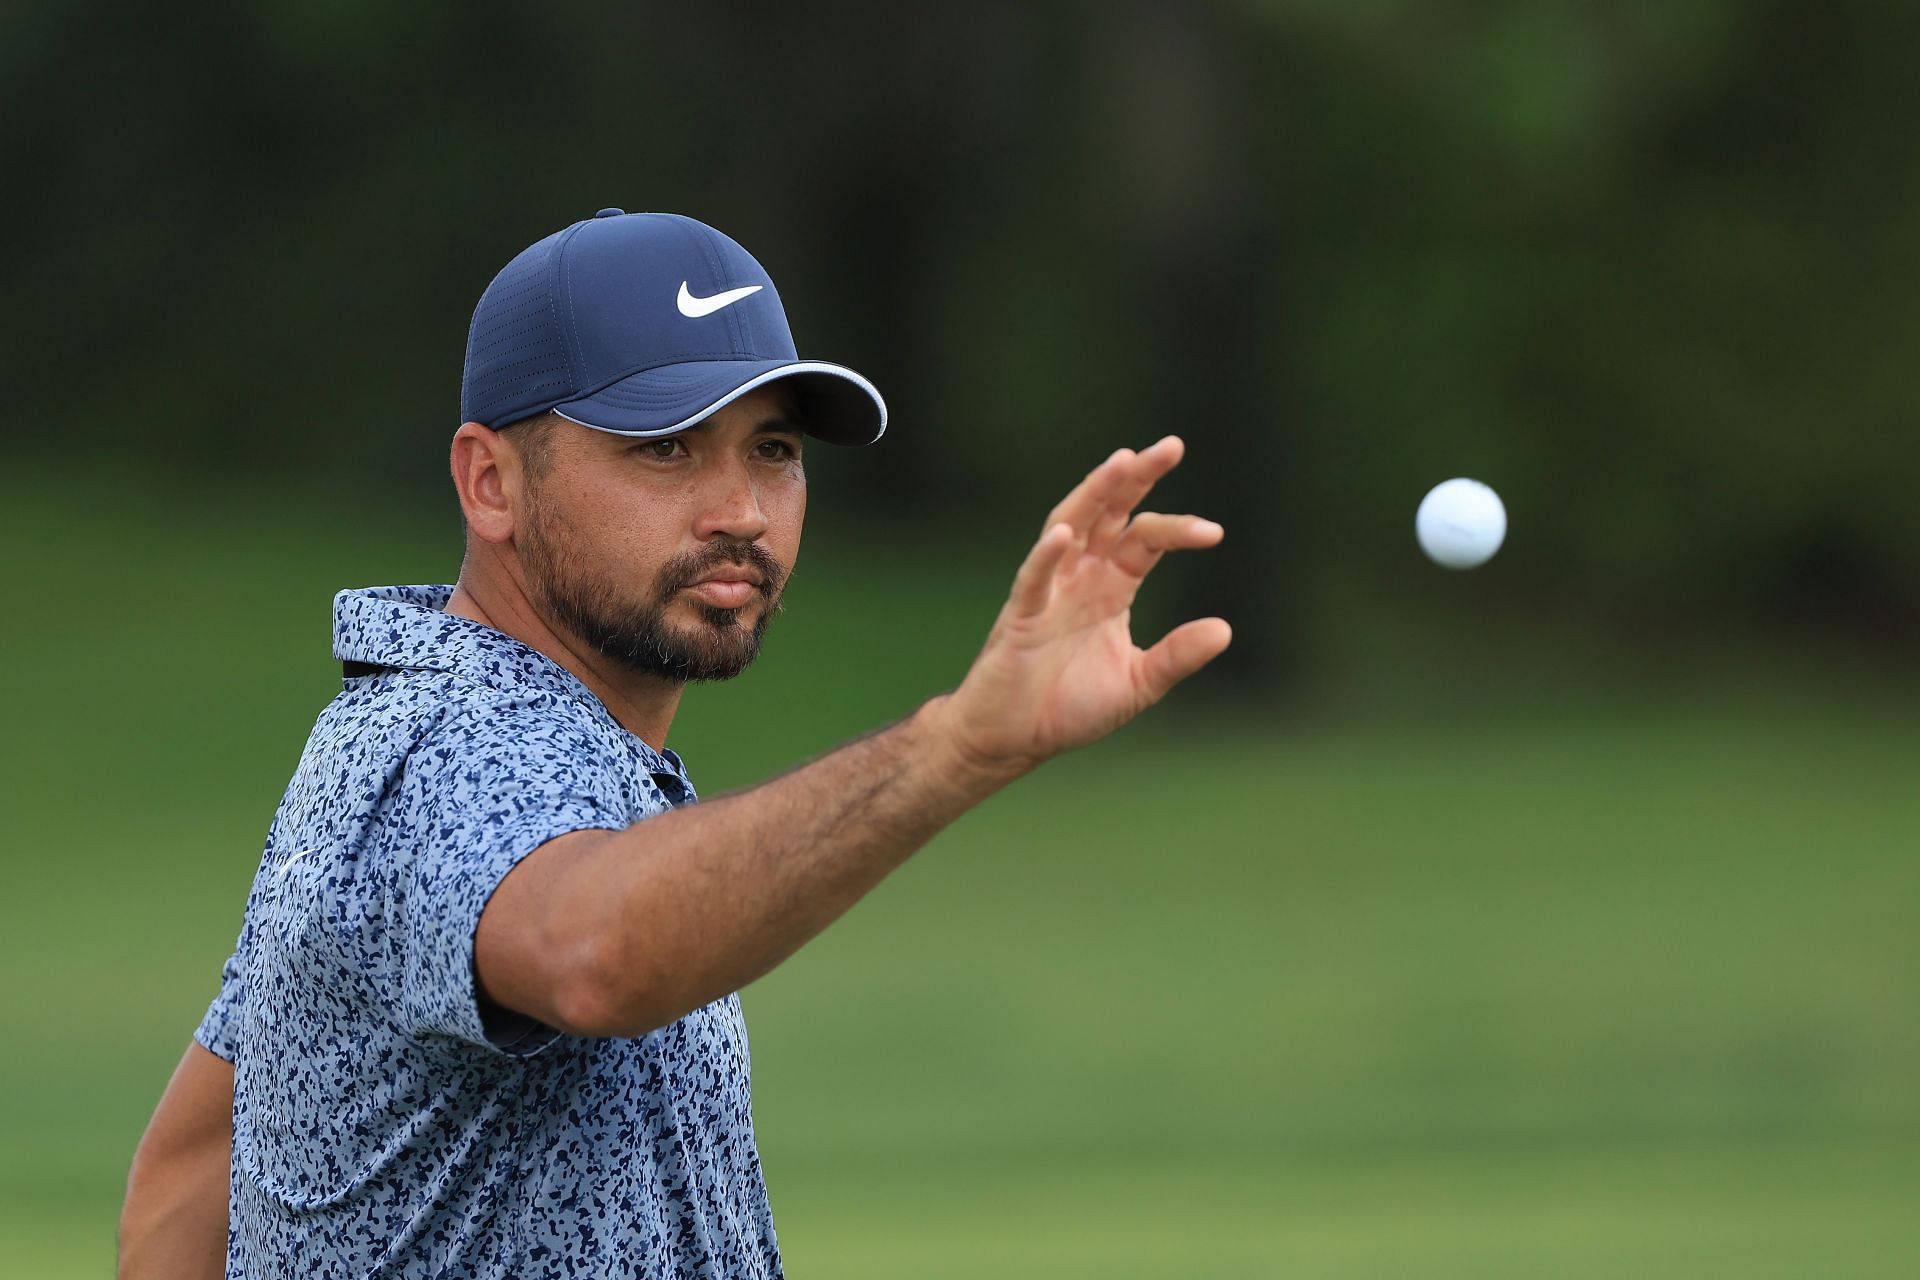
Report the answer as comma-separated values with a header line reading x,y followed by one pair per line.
x,y
174,1223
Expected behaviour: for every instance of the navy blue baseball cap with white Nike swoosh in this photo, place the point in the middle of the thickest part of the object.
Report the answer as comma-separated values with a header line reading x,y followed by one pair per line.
x,y
642,325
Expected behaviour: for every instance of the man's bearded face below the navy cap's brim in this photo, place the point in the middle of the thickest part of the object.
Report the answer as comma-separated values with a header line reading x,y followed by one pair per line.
x,y
669,556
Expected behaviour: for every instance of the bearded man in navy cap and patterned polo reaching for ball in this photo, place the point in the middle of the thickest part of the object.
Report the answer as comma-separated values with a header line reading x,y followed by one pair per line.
x,y
483,1014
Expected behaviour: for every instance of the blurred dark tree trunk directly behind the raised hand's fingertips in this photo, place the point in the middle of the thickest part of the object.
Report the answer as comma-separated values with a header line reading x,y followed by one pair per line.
x,y
1186,183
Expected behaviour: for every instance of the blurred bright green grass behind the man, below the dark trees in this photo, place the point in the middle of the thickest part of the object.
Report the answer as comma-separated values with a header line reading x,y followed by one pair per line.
x,y
1616,991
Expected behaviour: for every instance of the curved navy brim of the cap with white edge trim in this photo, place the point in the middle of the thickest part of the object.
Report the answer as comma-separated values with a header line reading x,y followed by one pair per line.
x,y
834,404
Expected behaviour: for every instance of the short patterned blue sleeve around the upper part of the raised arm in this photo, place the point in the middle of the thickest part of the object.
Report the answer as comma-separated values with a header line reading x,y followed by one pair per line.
x,y
477,797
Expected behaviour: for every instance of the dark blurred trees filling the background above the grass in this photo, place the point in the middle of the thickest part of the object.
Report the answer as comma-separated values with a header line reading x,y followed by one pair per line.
x,y
1646,270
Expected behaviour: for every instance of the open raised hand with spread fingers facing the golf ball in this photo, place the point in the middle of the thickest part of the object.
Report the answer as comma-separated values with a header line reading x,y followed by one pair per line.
x,y
1061,667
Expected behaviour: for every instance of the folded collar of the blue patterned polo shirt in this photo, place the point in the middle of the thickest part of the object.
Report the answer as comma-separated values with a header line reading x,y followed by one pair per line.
x,y
408,628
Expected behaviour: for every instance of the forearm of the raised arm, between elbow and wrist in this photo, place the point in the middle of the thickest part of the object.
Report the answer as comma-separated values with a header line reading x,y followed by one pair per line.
x,y
698,903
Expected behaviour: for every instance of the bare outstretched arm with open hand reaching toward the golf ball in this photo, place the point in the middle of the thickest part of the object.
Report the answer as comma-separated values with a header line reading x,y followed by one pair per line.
x,y
613,934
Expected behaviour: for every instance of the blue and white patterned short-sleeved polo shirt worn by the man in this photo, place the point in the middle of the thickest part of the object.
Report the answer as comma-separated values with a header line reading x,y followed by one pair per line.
x,y
387,1122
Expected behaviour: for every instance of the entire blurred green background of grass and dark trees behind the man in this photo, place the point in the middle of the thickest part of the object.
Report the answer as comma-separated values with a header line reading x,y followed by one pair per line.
x,y
1556,918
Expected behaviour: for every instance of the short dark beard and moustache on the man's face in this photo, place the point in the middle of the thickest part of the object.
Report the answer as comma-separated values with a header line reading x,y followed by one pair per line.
x,y
636,634
